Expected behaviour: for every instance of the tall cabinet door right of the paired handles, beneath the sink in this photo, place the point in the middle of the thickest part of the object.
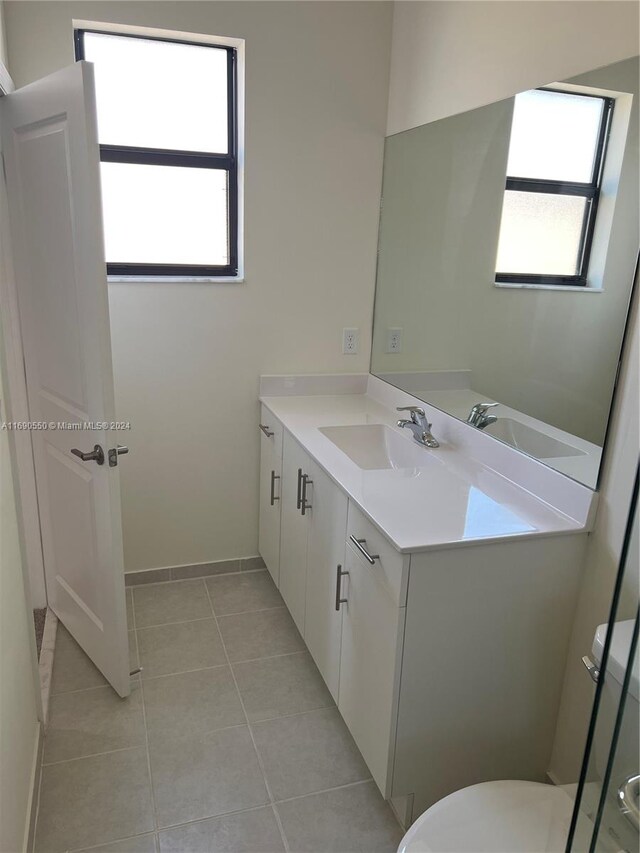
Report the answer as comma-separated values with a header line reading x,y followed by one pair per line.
x,y
325,552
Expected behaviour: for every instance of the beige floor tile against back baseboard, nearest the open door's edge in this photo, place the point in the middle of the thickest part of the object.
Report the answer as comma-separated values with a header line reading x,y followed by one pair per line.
x,y
179,601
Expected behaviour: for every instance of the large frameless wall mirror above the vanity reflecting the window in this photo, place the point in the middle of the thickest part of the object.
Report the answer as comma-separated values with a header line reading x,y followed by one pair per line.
x,y
508,242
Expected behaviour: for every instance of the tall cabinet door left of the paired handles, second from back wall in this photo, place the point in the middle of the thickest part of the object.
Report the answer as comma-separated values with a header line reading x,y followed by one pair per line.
x,y
293,531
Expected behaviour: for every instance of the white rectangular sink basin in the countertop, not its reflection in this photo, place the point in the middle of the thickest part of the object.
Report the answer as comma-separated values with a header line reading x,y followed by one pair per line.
x,y
376,446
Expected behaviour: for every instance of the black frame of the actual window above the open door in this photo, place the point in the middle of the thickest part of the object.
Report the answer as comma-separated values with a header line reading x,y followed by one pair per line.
x,y
190,159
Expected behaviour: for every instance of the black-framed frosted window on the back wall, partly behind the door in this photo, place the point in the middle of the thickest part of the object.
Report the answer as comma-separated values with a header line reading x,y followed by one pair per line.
x,y
167,127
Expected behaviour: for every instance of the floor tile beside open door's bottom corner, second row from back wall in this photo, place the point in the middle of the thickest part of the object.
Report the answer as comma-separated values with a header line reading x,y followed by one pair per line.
x,y
180,647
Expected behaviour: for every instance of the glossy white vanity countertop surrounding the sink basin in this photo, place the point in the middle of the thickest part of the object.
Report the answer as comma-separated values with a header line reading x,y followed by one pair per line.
x,y
450,500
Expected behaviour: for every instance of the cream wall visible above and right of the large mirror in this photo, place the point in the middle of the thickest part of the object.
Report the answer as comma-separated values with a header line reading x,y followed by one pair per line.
x,y
454,56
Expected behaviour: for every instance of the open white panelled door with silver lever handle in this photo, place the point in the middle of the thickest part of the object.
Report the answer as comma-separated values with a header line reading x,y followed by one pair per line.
x,y
50,147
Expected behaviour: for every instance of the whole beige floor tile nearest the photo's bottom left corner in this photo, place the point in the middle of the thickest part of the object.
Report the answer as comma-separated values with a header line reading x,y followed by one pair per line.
x,y
94,800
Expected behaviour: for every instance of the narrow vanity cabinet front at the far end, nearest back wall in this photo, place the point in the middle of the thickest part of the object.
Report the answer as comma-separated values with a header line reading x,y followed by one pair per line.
x,y
270,492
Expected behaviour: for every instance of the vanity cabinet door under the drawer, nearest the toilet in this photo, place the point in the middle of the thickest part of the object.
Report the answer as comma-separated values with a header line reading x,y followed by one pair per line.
x,y
372,630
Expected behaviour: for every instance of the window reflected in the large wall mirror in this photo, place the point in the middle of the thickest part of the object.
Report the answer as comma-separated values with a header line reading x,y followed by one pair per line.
x,y
556,156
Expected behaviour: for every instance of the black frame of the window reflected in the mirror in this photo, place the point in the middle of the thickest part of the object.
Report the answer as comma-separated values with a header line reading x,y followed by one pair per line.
x,y
590,191
